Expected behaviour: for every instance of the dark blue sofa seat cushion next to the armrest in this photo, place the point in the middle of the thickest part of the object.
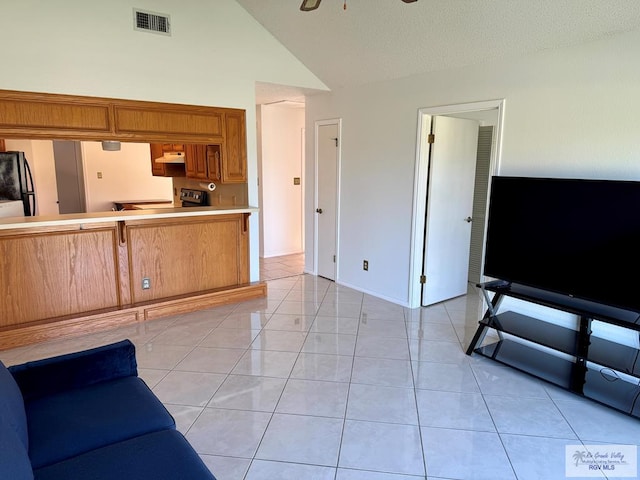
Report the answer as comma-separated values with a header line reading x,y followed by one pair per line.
x,y
76,421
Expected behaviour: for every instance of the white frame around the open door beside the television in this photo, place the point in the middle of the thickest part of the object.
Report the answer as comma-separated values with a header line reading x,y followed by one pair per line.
x,y
425,116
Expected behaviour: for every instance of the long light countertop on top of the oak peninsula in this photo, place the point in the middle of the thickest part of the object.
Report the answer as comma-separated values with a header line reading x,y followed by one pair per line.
x,y
97,217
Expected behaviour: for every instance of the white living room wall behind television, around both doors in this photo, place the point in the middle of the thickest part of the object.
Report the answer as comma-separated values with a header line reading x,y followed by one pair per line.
x,y
570,112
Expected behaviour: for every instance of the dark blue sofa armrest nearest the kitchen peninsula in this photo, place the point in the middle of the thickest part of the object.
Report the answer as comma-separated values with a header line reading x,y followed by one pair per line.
x,y
74,370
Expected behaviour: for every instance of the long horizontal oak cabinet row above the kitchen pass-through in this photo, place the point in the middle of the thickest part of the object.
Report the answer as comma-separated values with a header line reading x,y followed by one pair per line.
x,y
72,117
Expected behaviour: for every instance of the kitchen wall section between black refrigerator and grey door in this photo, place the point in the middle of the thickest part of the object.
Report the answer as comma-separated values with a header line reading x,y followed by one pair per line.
x,y
39,154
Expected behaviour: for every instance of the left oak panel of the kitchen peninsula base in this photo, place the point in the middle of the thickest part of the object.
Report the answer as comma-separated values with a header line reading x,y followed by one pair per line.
x,y
54,274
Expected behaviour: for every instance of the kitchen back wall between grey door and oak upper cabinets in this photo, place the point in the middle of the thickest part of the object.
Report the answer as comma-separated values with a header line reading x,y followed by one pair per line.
x,y
126,175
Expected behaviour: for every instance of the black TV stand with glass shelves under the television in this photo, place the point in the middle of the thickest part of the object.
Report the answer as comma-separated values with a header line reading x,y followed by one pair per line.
x,y
599,369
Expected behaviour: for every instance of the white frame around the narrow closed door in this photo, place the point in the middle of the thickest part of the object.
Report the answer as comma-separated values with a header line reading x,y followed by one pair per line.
x,y
317,125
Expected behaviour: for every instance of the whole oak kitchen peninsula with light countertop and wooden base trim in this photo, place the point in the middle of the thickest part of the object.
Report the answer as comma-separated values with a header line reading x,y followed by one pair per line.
x,y
73,274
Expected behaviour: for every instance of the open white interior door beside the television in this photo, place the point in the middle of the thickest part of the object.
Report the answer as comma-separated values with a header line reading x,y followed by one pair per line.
x,y
449,208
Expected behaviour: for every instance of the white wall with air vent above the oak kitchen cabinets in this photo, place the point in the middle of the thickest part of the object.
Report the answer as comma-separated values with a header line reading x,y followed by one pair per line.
x,y
216,54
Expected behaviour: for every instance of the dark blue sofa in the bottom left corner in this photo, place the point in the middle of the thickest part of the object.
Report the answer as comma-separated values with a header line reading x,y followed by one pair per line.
x,y
87,415
